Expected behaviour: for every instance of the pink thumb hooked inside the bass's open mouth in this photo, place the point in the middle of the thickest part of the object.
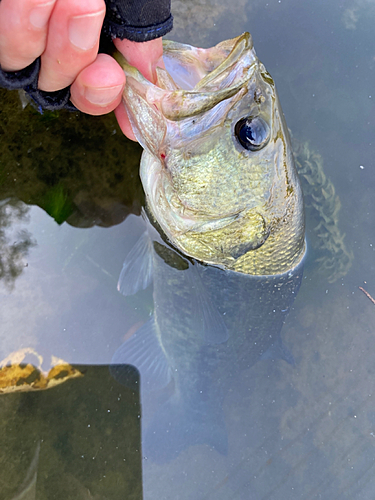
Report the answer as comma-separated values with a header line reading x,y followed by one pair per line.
x,y
145,56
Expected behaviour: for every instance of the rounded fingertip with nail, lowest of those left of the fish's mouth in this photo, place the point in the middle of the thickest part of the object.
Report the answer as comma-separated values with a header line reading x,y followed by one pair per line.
x,y
98,88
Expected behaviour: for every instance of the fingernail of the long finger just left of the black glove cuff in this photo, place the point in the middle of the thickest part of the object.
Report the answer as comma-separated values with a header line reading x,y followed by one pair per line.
x,y
84,31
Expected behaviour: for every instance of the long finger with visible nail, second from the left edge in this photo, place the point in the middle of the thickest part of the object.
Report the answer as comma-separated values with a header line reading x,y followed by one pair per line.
x,y
72,42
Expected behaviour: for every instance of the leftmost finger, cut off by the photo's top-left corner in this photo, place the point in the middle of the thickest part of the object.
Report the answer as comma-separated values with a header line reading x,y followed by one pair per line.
x,y
23,31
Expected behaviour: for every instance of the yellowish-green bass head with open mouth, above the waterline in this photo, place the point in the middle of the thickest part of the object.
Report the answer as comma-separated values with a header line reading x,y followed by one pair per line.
x,y
217,167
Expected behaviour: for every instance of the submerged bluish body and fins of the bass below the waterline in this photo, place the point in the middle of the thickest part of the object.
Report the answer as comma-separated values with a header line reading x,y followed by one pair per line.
x,y
208,326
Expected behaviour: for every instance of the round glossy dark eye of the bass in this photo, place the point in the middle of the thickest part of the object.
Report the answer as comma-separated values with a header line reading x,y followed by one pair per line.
x,y
253,133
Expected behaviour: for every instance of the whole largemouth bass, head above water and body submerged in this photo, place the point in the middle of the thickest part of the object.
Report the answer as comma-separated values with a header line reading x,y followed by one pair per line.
x,y
226,241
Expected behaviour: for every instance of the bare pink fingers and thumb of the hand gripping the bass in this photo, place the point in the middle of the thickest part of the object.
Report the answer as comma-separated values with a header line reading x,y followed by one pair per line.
x,y
65,33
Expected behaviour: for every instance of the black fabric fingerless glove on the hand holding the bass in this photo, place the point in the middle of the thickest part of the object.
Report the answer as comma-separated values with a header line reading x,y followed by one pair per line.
x,y
136,20
